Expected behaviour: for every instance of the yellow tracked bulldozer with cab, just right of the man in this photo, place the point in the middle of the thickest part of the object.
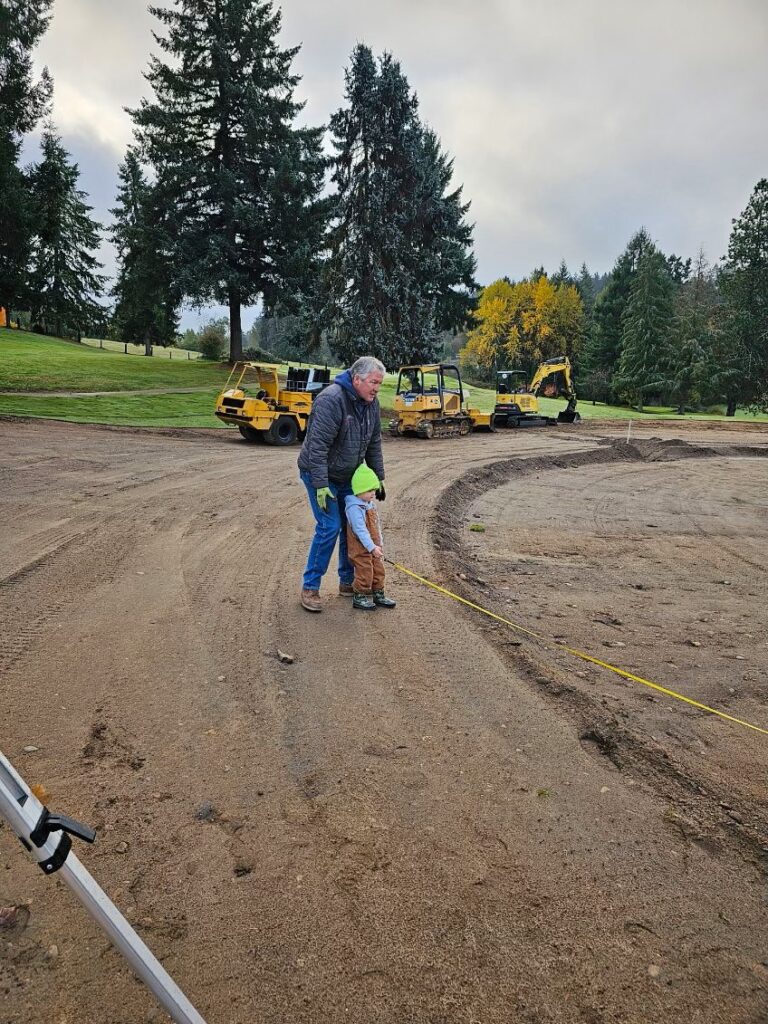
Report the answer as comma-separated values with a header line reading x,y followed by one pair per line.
x,y
431,402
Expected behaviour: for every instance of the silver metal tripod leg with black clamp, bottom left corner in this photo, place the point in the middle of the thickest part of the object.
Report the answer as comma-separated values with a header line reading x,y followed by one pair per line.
x,y
47,837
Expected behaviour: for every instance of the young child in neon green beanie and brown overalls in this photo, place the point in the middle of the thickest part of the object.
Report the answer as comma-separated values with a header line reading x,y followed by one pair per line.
x,y
364,542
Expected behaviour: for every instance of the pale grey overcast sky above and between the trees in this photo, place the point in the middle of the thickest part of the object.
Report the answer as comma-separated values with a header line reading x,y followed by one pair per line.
x,y
571,123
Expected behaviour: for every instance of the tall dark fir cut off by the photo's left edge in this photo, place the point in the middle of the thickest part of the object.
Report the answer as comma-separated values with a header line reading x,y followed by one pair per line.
x,y
23,102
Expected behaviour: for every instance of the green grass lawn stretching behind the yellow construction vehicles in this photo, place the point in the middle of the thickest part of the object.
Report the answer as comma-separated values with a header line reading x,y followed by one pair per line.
x,y
33,363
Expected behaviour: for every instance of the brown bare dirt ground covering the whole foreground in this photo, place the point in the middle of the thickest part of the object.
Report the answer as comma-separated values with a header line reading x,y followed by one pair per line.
x,y
428,817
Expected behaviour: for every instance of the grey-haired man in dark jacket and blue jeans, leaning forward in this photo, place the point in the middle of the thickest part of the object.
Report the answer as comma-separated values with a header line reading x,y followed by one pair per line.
x,y
345,432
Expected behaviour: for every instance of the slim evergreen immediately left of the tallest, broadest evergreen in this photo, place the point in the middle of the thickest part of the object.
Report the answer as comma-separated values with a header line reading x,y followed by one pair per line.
x,y
147,308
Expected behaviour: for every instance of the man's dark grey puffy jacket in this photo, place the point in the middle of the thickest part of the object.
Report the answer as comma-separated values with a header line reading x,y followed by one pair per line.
x,y
344,432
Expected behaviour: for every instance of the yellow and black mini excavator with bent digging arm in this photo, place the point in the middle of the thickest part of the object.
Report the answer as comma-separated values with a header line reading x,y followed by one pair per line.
x,y
518,403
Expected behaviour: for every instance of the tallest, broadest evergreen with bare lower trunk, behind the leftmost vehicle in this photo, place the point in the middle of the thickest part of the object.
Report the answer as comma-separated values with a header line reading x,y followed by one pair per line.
x,y
239,182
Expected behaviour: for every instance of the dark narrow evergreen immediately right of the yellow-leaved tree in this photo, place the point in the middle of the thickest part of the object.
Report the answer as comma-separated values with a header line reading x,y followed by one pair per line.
x,y
604,350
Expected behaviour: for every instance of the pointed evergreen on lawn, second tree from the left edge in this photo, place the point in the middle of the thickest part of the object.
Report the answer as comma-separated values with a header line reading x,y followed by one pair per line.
x,y
65,279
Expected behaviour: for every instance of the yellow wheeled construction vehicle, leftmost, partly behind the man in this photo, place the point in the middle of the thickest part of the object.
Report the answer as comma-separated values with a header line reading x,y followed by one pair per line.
x,y
263,410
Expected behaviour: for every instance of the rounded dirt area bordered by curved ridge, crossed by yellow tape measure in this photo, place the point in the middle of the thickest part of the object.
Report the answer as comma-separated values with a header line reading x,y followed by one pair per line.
x,y
709,800
